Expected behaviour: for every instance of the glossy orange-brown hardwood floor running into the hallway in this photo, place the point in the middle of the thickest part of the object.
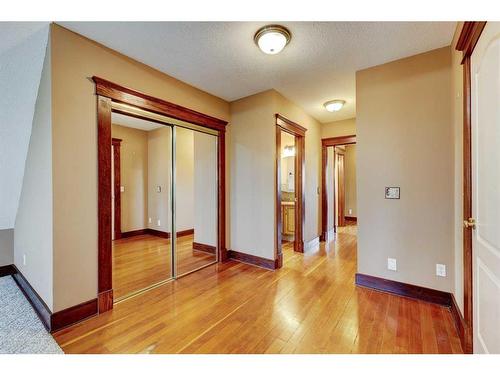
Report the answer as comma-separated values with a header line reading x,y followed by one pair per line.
x,y
311,305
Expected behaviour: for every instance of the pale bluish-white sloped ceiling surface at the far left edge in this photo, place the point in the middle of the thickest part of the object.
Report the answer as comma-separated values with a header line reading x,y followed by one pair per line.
x,y
22,53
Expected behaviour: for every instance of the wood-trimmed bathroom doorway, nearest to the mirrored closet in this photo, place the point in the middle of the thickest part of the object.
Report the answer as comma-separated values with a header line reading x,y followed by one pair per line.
x,y
290,164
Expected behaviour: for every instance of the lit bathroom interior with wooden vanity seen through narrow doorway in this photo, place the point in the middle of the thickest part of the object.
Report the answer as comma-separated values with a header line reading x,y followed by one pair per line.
x,y
288,151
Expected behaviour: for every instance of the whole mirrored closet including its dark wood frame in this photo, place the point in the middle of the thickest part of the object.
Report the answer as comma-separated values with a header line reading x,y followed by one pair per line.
x,y
161,200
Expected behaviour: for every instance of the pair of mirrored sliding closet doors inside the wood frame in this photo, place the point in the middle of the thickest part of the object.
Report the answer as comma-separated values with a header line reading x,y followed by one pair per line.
x,y
164,199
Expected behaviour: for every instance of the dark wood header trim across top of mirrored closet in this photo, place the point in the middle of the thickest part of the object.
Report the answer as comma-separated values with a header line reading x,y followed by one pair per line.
x,y
122,94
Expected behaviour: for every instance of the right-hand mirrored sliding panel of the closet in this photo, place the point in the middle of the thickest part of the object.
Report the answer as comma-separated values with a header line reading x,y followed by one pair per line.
x,y
196,199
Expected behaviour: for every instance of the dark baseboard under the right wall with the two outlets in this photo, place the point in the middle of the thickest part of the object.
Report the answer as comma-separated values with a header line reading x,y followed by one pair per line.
x,y
405,290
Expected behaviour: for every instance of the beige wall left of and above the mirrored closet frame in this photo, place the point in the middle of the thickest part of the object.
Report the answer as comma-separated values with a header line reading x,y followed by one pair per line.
x,y
74,145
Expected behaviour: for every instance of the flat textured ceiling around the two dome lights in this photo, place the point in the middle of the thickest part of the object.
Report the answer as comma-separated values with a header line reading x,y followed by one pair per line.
x,y
221,58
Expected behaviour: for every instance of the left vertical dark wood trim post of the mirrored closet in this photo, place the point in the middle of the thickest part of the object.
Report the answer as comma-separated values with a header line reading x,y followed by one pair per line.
x,y
105,281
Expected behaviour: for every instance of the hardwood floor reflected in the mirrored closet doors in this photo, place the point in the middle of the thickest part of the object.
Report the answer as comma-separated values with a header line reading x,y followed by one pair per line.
x,y
141,261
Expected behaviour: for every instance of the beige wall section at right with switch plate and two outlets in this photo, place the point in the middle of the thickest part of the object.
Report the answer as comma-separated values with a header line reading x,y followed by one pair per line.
x,y
405,138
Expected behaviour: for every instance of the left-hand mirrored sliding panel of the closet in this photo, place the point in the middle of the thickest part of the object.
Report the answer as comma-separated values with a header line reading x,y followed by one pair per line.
x,y
141,186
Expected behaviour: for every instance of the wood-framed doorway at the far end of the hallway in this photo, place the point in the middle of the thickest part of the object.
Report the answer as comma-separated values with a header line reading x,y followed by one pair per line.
x,y
338,181
